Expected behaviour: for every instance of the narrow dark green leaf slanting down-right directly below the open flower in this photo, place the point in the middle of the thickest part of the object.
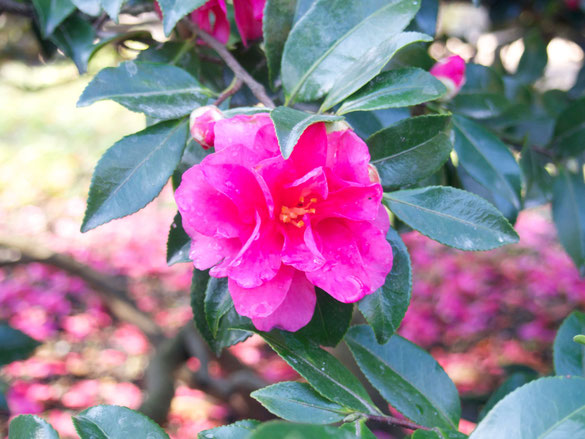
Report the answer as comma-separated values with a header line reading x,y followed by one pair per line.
x,y
322,370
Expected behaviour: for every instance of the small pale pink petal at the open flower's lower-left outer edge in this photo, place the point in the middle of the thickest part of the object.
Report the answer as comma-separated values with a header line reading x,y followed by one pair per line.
x,y
207,251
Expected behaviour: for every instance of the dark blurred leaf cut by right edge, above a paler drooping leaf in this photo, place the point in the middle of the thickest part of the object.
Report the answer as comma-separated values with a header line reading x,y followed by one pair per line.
x,y
570,130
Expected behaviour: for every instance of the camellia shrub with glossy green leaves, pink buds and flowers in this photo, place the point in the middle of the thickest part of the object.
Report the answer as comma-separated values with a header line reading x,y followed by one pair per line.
x,y
301,138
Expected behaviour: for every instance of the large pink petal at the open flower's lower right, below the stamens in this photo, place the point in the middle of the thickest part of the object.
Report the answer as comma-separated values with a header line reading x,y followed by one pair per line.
x,y
343,276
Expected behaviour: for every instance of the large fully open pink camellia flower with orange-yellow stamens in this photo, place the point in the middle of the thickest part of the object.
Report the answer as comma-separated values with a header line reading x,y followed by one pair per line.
x,y
277,228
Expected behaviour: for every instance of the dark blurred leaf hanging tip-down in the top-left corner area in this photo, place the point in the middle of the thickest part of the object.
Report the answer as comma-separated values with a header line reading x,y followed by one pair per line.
x,y
75,37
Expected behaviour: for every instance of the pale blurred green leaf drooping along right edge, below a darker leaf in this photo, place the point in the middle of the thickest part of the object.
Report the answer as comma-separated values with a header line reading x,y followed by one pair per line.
x,y
568,209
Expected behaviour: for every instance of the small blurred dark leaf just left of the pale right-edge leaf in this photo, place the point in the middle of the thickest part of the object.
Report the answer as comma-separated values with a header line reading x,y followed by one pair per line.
x,y
537,179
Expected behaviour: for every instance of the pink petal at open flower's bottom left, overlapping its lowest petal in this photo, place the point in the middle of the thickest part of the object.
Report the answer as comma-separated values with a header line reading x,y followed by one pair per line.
x,y
263,300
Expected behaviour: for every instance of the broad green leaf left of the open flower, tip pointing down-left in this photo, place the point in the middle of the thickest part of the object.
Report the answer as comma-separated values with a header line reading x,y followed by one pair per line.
x,y
133,172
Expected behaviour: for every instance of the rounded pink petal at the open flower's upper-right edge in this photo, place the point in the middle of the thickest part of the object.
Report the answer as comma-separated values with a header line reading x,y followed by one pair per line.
x,y
348,156
